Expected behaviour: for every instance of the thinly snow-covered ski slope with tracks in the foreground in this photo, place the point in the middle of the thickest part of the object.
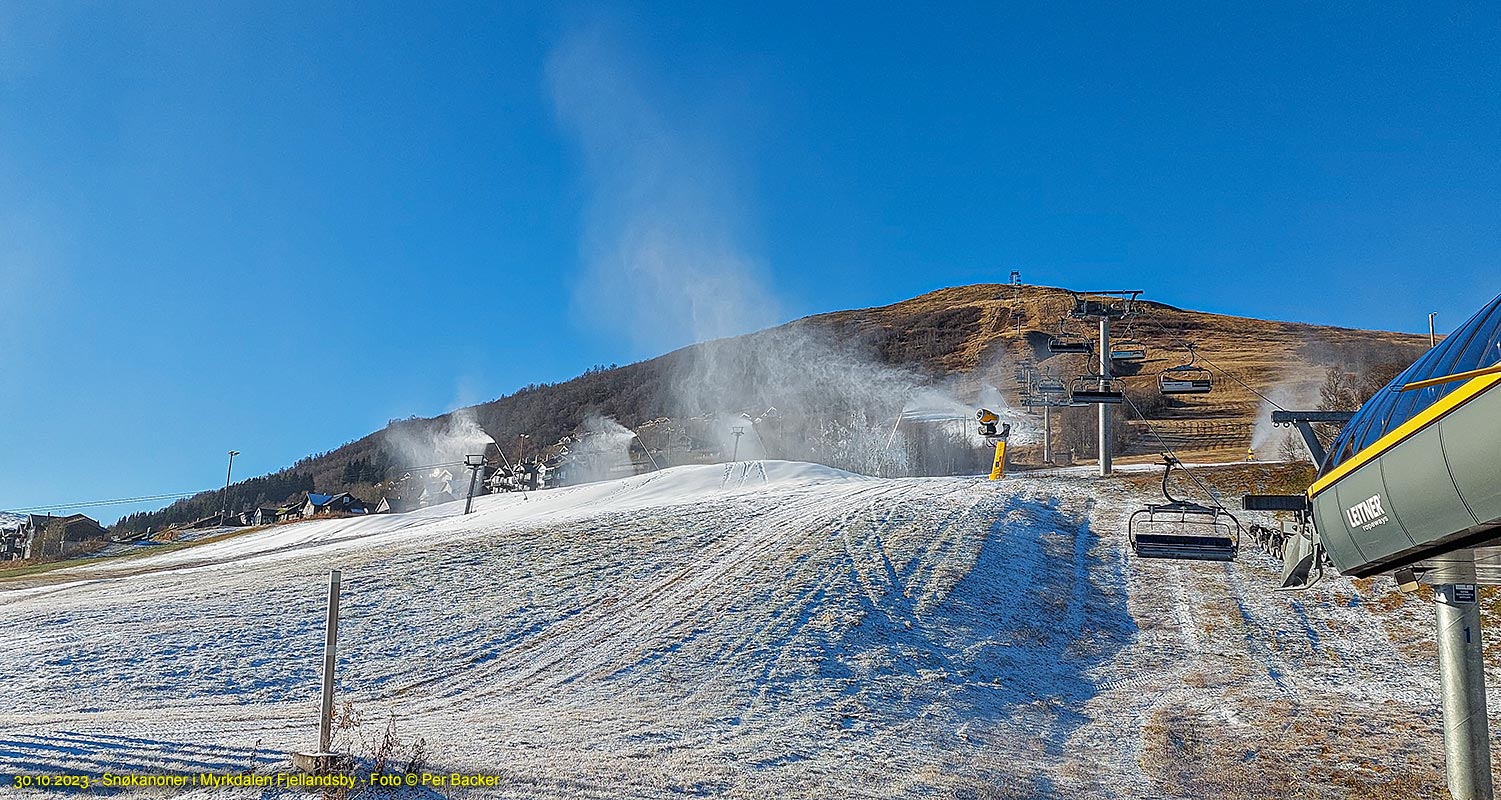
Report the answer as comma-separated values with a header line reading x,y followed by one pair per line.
x,y
760,630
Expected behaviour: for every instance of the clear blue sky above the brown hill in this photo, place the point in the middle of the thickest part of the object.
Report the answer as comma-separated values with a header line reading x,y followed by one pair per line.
x,y
277,226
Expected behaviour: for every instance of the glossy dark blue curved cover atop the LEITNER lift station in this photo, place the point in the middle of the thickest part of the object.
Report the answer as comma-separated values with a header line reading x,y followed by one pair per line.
x,y
1473,346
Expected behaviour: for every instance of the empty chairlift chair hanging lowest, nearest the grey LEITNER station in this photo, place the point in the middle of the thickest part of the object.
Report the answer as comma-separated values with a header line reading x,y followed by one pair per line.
x,y
1182,529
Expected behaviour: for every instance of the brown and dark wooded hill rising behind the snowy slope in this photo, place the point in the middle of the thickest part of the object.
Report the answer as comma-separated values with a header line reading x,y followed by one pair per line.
x,y
844,377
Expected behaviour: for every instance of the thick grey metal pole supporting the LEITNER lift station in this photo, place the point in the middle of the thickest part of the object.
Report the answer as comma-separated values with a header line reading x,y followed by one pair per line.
x,y
1463,685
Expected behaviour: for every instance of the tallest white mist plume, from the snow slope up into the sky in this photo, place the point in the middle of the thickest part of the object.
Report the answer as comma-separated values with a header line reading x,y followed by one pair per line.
x,y
667,266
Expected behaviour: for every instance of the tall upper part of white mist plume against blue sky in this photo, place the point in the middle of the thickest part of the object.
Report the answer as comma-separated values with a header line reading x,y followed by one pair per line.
x,y
664,262
